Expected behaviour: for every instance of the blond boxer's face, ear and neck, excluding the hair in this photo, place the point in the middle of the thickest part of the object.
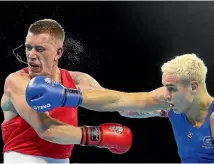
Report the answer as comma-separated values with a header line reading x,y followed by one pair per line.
x,y
190,98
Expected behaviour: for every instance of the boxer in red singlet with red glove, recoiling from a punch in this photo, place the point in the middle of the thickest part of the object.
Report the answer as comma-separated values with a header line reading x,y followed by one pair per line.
x,y
49,137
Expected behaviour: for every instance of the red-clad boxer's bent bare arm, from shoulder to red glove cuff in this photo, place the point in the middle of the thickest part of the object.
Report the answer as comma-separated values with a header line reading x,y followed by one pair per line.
x,y
46,127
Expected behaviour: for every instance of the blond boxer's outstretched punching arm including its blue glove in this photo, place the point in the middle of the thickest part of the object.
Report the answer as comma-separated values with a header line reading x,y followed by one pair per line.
x,y
42,91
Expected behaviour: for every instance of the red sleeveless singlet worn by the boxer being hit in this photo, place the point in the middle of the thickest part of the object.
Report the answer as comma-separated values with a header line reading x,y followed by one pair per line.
x,y
19,136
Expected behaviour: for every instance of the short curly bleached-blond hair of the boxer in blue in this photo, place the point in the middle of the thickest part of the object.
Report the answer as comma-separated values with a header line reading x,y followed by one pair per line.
x,y
187,66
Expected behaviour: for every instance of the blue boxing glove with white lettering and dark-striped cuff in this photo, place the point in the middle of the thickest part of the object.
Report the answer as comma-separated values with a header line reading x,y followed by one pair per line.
x,y
43,94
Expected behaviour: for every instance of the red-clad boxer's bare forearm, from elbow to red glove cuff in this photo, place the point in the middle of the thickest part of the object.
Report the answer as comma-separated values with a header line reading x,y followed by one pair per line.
x,y
60,133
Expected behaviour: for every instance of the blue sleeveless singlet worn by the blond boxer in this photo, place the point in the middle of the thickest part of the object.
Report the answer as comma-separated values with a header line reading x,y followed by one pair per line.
x,y
194,144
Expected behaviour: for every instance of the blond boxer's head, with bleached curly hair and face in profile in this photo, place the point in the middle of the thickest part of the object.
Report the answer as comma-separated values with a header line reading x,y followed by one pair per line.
x,y
184,78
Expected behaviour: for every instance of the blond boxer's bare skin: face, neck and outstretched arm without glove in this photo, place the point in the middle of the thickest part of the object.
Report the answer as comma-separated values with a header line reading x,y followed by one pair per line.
x,y
186,96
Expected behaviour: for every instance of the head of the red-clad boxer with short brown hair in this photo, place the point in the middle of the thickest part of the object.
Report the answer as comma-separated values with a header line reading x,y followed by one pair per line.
x,y
44,46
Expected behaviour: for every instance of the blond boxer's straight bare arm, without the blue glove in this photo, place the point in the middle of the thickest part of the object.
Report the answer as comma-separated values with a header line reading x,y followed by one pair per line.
x,y
109,100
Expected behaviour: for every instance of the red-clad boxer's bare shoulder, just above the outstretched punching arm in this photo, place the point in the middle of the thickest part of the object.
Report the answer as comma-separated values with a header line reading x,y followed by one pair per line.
x,y
84,81
